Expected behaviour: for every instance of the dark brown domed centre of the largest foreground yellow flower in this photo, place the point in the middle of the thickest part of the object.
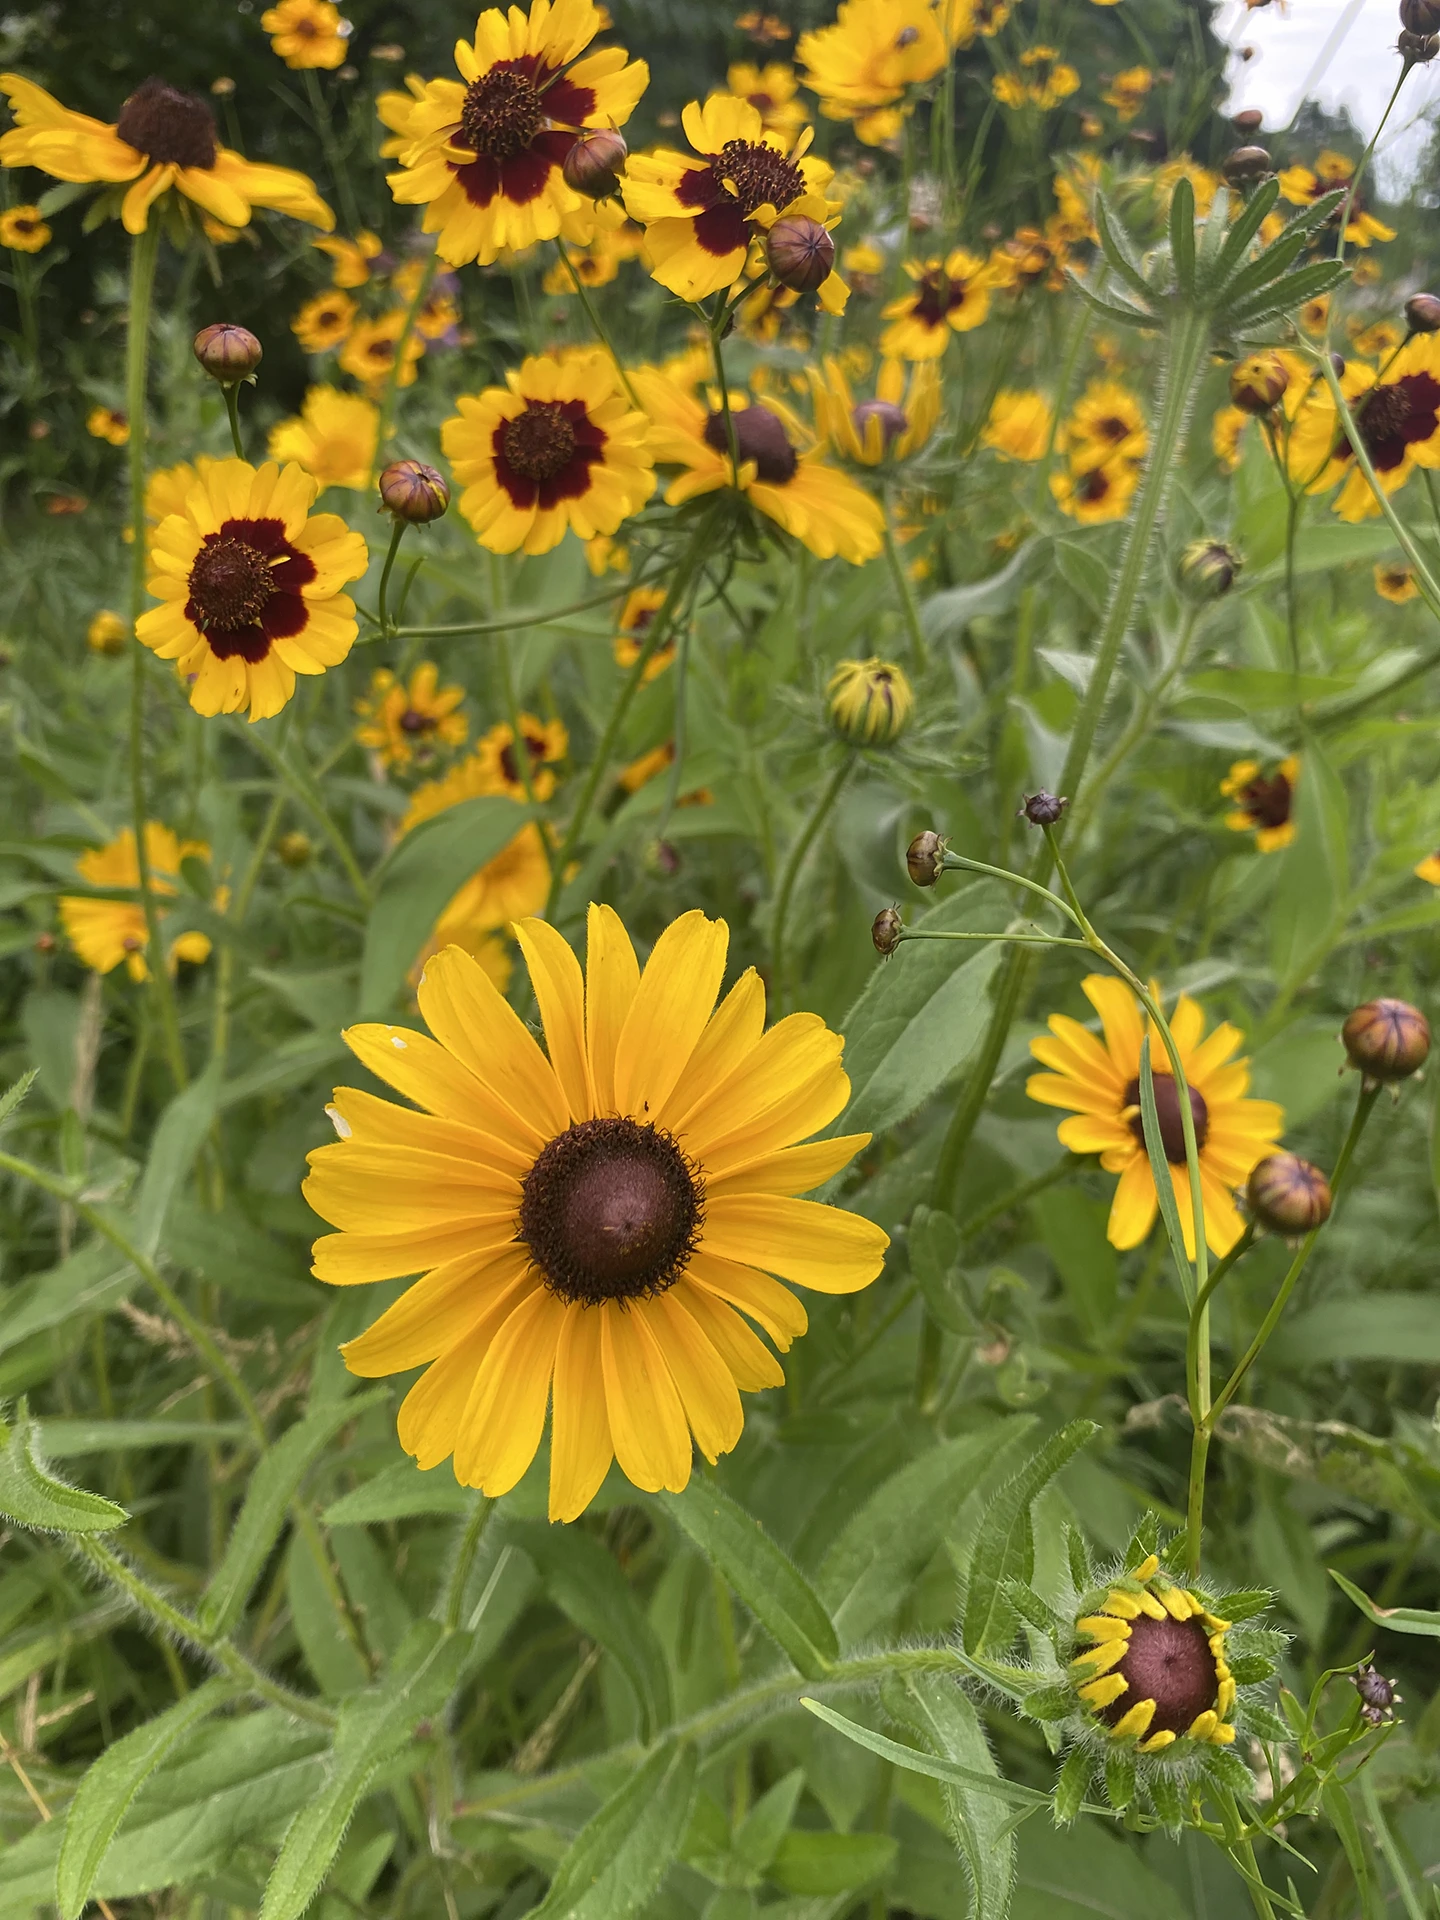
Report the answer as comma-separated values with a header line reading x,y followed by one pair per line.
x,y
612,1211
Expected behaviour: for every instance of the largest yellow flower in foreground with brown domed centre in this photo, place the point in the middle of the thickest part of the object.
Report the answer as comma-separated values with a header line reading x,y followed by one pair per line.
x,y
587,1220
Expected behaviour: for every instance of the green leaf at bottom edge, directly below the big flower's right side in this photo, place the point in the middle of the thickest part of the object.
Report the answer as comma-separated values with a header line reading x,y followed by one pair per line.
x,y
623,1854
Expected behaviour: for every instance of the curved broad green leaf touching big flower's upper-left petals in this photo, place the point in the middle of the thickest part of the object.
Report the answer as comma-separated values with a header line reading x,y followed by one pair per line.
x,y
420,880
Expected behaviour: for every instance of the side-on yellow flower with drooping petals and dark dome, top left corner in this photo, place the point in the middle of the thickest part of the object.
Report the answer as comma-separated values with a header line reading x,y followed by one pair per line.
x,y
162,141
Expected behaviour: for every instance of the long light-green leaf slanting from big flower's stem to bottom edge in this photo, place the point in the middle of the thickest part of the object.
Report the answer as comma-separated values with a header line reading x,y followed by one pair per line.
x,y
373,1727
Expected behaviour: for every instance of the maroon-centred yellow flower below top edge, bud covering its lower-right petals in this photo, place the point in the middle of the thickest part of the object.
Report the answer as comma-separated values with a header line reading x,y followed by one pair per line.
x,y
704,210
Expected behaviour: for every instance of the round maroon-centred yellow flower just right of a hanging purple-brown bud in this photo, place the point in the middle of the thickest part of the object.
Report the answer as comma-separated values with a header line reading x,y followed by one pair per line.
x,y
558,448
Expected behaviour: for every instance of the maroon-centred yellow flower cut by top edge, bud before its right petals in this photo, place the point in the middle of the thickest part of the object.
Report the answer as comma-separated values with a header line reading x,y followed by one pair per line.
x,y
485,155
